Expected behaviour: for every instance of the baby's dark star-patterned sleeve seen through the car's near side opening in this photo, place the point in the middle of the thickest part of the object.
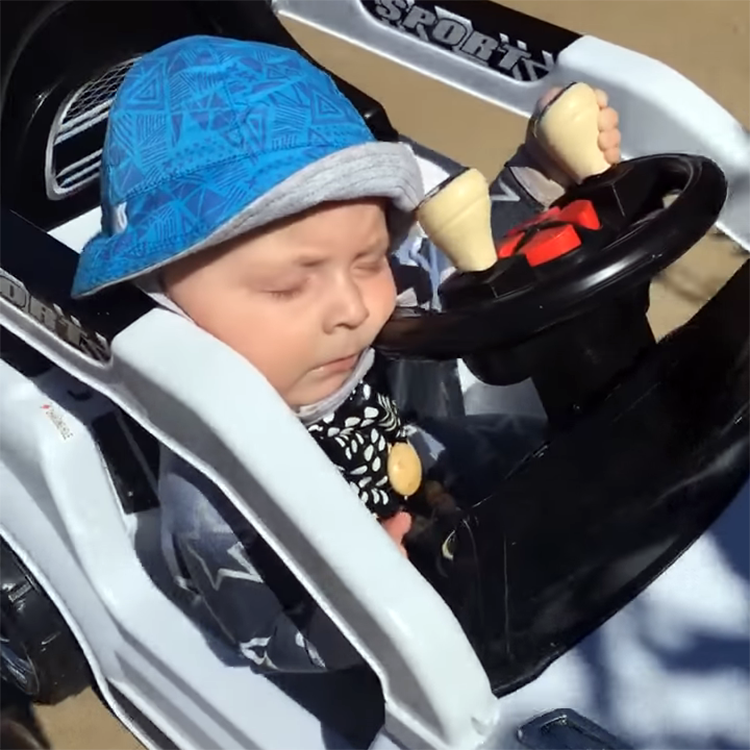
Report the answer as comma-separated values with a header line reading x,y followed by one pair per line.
x,y
256,603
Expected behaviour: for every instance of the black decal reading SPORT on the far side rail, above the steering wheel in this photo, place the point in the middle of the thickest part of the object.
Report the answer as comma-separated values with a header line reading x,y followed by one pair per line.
x,y
462,33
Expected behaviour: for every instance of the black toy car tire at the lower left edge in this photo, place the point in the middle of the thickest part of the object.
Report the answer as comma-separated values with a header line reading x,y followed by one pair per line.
x,y
39,656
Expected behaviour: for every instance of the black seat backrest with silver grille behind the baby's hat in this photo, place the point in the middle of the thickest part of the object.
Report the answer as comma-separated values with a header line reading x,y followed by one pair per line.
x,y
61,63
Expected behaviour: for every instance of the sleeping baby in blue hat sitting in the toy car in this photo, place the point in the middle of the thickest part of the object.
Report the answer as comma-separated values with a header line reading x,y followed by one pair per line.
x,y
241,189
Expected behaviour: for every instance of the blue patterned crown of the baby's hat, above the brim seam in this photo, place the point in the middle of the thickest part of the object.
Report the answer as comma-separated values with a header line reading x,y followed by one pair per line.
x,y
200,101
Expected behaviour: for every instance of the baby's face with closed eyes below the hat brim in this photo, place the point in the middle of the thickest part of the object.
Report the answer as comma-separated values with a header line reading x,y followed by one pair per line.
x,y
300,300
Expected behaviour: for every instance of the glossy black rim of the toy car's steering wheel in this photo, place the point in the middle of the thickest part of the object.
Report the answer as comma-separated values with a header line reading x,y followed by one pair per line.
x,y
569,286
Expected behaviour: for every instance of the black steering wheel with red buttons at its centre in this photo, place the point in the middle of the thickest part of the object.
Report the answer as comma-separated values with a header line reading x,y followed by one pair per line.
x,y
566,302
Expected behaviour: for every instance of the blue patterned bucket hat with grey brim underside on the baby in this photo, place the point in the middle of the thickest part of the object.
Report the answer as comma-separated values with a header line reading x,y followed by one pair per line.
x,y
210,137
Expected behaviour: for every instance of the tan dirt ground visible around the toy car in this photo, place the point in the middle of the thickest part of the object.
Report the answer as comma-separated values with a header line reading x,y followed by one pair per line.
x,y
712,47
